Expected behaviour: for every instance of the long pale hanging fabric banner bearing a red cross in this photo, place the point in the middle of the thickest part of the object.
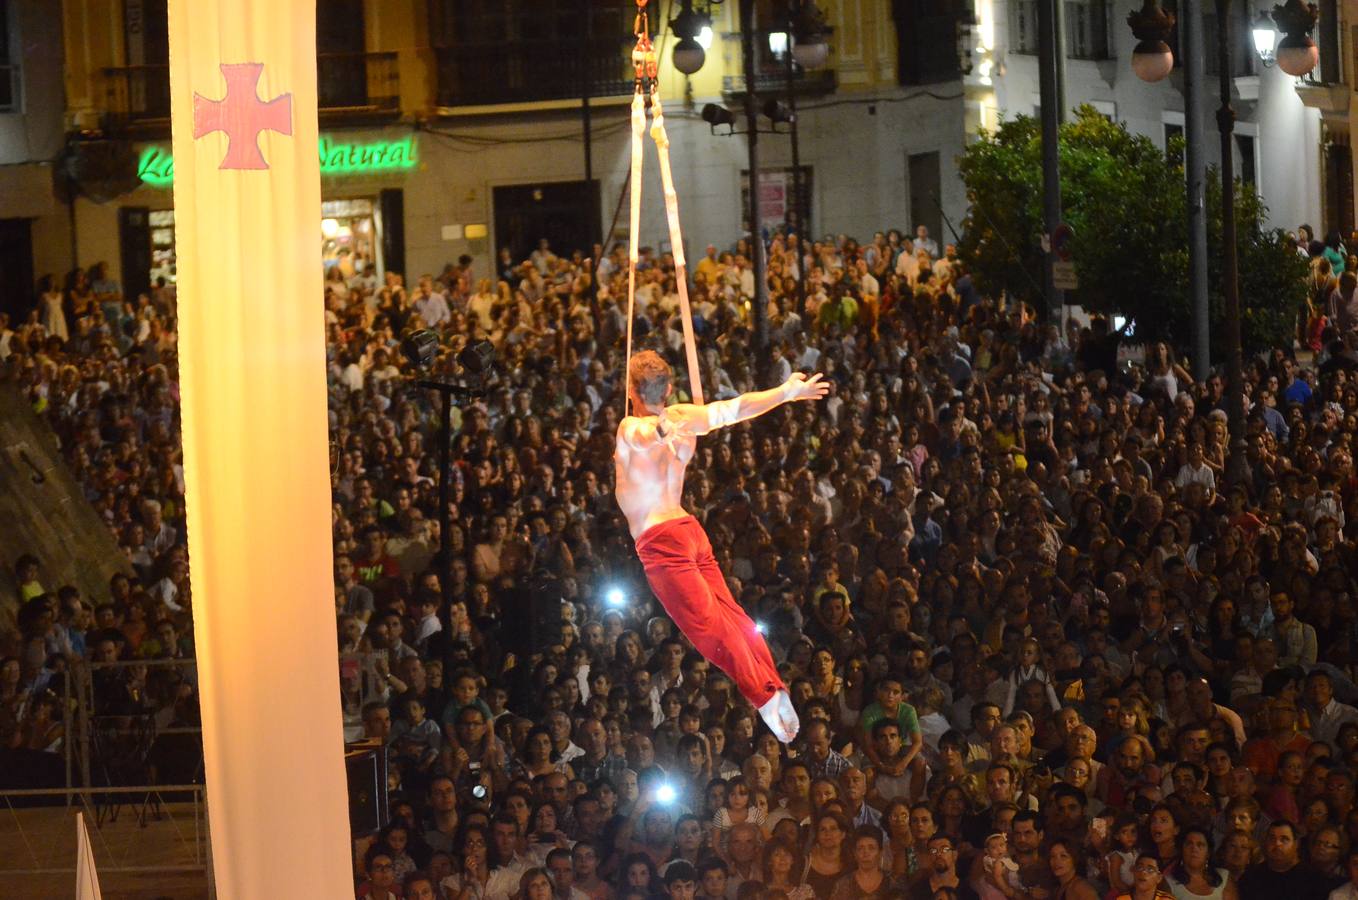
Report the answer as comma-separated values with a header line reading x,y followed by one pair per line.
x,y
257,484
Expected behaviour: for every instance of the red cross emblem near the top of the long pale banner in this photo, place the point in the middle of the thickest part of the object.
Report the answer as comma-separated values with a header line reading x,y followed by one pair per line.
x,y
242,116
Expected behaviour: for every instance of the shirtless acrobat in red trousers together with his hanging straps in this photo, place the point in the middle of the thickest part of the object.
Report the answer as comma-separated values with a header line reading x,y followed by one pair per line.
x,y
658,440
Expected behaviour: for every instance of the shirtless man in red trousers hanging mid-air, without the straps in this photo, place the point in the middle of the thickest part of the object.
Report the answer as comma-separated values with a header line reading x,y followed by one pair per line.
x,y
653,451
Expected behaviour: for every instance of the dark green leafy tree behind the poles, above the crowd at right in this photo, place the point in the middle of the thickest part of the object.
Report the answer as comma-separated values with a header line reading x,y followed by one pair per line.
x,y
1126,203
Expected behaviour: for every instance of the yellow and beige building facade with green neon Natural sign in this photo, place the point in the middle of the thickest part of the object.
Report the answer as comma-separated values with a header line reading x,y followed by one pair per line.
x,y
456,127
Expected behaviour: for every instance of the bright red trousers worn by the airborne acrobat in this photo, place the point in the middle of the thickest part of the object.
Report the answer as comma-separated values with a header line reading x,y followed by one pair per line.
x,y
684,574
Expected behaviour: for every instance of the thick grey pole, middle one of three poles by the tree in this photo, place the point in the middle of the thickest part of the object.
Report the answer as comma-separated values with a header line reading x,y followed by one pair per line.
x,y
1196,172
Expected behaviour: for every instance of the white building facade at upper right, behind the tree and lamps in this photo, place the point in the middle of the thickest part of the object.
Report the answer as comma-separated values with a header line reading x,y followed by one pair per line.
x,y
1292,135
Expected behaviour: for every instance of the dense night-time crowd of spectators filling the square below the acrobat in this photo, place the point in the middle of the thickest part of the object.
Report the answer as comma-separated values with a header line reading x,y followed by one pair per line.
x,y
1041,644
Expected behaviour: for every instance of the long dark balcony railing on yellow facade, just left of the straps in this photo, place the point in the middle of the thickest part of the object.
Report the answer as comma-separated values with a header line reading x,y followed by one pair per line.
x,y
530,71
